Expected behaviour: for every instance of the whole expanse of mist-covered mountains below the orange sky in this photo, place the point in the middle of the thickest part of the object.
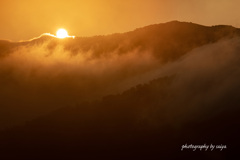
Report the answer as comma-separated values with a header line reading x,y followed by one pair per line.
x,y
161,85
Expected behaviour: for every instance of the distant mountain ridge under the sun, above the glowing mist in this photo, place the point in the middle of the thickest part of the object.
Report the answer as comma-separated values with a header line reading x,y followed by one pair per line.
x,y
166,41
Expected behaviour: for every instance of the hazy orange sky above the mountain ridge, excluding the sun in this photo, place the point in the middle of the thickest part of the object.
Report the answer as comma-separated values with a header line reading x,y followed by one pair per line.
x,y
25,19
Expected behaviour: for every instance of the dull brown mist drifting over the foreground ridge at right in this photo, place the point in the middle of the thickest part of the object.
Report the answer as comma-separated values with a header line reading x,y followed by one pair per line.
x,y
205,84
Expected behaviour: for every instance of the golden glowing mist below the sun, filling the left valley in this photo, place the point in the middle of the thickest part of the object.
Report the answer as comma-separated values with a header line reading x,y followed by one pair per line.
x,y
48,73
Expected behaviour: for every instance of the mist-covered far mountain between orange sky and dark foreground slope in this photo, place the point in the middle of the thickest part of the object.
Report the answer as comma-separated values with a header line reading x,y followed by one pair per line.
x,y
46,73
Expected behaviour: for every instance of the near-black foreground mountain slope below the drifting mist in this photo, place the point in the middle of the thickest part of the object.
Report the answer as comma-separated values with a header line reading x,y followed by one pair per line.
x,y
138,123
